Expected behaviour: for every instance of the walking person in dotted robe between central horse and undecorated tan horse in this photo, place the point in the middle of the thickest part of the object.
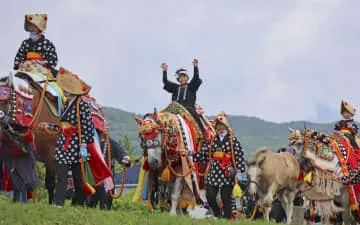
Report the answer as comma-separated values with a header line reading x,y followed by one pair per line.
x,y
227,159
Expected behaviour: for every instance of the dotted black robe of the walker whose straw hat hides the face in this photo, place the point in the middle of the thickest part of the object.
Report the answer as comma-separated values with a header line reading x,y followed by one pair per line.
x,y
72,154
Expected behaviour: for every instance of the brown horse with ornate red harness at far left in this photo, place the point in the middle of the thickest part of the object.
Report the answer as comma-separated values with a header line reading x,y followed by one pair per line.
x,y
41,109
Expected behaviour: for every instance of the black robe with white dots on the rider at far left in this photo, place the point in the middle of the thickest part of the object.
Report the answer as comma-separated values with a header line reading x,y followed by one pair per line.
x,y
45,47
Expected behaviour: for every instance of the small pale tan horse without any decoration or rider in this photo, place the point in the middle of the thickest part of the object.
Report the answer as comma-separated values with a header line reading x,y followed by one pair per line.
x,y
271,173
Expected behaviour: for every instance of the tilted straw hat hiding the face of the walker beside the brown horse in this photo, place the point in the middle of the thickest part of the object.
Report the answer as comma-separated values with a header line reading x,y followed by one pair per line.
x,y
71,83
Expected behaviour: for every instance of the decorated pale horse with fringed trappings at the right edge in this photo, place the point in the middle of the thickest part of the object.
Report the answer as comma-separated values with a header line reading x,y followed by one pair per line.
x,y
331,157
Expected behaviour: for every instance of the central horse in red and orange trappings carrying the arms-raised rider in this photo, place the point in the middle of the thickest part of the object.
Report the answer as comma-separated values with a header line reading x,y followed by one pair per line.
x,y
169,139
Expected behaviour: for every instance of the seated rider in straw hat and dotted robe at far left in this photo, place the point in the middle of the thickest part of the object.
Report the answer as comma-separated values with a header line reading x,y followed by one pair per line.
x,y
37,47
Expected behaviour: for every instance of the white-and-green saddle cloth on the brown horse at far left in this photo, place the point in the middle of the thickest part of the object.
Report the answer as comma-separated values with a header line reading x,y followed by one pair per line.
x,y
54,96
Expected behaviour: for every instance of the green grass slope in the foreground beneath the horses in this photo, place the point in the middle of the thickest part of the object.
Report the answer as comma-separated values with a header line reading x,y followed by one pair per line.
x,y
125,212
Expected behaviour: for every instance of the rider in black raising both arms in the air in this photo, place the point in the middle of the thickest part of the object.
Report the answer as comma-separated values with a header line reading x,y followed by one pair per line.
x,y
184,93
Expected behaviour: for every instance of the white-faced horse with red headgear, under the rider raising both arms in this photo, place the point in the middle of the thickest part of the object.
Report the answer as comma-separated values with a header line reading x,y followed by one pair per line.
x,y
162,139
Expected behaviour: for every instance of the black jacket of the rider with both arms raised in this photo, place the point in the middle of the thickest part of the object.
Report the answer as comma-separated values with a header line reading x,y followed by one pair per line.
x,y
177,91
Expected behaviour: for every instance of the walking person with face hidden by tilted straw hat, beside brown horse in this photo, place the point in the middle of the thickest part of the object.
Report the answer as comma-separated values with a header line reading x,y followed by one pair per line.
x,y
75,142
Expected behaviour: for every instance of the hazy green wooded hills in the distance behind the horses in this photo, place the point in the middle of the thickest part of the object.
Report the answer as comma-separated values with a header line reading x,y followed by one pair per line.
x,y
251,131
